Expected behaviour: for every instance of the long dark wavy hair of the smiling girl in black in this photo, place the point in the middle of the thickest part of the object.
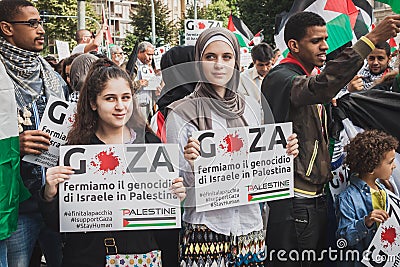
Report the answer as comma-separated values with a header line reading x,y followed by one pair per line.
x,y
85,125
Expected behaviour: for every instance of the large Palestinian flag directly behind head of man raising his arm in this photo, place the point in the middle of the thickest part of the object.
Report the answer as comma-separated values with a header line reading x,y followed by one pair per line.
x,y
347,20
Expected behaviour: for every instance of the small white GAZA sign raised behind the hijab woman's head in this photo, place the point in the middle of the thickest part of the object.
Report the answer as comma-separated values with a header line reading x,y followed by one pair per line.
x,y
193,28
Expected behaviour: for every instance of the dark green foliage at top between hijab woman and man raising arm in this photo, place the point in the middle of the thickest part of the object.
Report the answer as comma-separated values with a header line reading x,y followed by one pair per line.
x,y
260,15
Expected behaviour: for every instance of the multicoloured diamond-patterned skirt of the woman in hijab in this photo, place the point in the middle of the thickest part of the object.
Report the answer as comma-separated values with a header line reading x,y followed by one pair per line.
x,y
201,247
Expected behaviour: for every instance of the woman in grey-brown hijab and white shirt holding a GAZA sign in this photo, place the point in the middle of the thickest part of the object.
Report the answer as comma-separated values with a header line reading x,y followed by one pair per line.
x,y
229,236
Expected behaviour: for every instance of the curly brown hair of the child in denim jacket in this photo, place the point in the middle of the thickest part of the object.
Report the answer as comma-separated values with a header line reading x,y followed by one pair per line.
x,y
367,150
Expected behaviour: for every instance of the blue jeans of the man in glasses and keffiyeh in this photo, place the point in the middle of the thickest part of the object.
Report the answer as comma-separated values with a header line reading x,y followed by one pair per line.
x,y
30,229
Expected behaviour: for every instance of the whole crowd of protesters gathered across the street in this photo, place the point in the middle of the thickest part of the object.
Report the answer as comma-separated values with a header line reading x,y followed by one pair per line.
x,y
202,88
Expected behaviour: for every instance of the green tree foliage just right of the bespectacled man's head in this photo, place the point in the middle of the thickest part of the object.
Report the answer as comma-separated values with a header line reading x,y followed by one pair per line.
x,y
64,28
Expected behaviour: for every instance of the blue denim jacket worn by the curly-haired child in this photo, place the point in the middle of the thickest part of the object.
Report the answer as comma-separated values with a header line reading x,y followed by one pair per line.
x,y
352,206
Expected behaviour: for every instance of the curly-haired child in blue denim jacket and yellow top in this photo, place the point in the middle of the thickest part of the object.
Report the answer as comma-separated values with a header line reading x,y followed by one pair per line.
x,y
362,206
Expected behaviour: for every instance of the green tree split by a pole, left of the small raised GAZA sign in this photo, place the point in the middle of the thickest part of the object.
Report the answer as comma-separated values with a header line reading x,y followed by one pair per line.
x,y
141,22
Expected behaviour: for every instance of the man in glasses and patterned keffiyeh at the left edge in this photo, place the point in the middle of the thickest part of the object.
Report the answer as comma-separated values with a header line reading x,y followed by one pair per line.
x,y
33,81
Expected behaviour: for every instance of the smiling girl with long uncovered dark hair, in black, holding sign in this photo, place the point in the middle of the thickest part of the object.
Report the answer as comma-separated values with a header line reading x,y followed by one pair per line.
x,y
104,107
